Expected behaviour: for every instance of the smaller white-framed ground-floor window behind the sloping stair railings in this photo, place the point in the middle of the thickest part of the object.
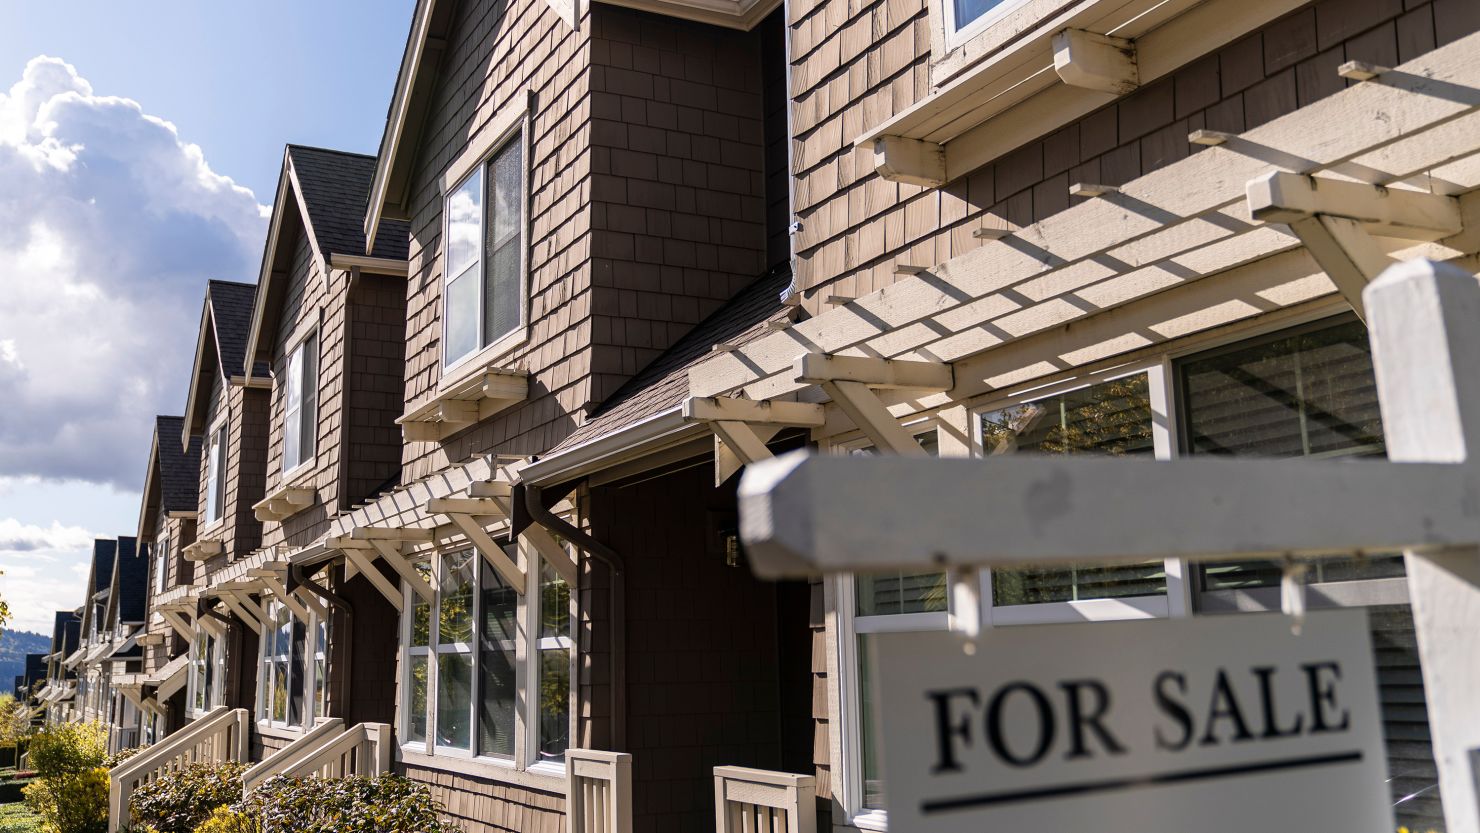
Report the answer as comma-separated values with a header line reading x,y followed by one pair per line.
x,y
291,681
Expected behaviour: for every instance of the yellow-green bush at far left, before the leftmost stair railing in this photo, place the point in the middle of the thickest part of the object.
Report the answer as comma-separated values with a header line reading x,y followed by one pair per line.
x,y
72,788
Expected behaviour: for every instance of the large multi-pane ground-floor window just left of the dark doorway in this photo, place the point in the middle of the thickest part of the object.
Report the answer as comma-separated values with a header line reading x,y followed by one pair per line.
x,y
471,689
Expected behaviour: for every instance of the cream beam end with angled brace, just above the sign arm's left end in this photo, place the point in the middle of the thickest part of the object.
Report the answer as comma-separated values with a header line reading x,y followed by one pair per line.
x,y
852,382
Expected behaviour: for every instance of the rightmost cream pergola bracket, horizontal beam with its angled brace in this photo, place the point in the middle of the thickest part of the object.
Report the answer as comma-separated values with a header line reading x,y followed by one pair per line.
x,y
1336,221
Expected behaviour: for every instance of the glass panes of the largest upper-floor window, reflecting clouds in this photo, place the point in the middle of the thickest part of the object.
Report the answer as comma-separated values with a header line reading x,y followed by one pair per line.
x,y
483,297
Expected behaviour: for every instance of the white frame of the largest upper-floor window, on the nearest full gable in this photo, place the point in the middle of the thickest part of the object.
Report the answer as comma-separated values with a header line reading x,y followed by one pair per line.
x,y
476,162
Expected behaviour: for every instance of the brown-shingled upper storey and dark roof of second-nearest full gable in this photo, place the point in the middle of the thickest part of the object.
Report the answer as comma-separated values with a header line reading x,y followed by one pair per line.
x,y
359,319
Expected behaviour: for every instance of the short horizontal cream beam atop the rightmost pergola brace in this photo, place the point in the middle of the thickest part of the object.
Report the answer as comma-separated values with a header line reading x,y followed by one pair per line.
x,y
1281,198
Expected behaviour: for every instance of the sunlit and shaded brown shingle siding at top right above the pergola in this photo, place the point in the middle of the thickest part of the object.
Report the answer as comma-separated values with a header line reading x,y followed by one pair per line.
x,y
858,64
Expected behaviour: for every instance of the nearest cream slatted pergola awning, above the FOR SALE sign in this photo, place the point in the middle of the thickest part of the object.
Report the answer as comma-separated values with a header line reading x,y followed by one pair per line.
x,y
1383,169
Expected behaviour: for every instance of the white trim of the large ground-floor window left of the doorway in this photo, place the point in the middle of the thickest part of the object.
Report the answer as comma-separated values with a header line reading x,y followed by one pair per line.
x,y
525,767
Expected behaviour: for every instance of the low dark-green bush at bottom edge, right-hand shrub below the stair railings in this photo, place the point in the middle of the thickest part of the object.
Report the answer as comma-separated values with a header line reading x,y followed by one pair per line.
x,y
387,804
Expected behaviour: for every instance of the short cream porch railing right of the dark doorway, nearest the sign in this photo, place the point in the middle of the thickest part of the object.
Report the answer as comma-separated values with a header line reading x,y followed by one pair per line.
x,y
758,801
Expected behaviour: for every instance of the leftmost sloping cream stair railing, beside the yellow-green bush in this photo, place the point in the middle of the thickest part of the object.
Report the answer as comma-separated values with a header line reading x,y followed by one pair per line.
x,y
218,736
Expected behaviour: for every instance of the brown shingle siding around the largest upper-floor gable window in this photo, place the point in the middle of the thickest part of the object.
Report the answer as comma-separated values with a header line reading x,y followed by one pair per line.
x,y
647,174
